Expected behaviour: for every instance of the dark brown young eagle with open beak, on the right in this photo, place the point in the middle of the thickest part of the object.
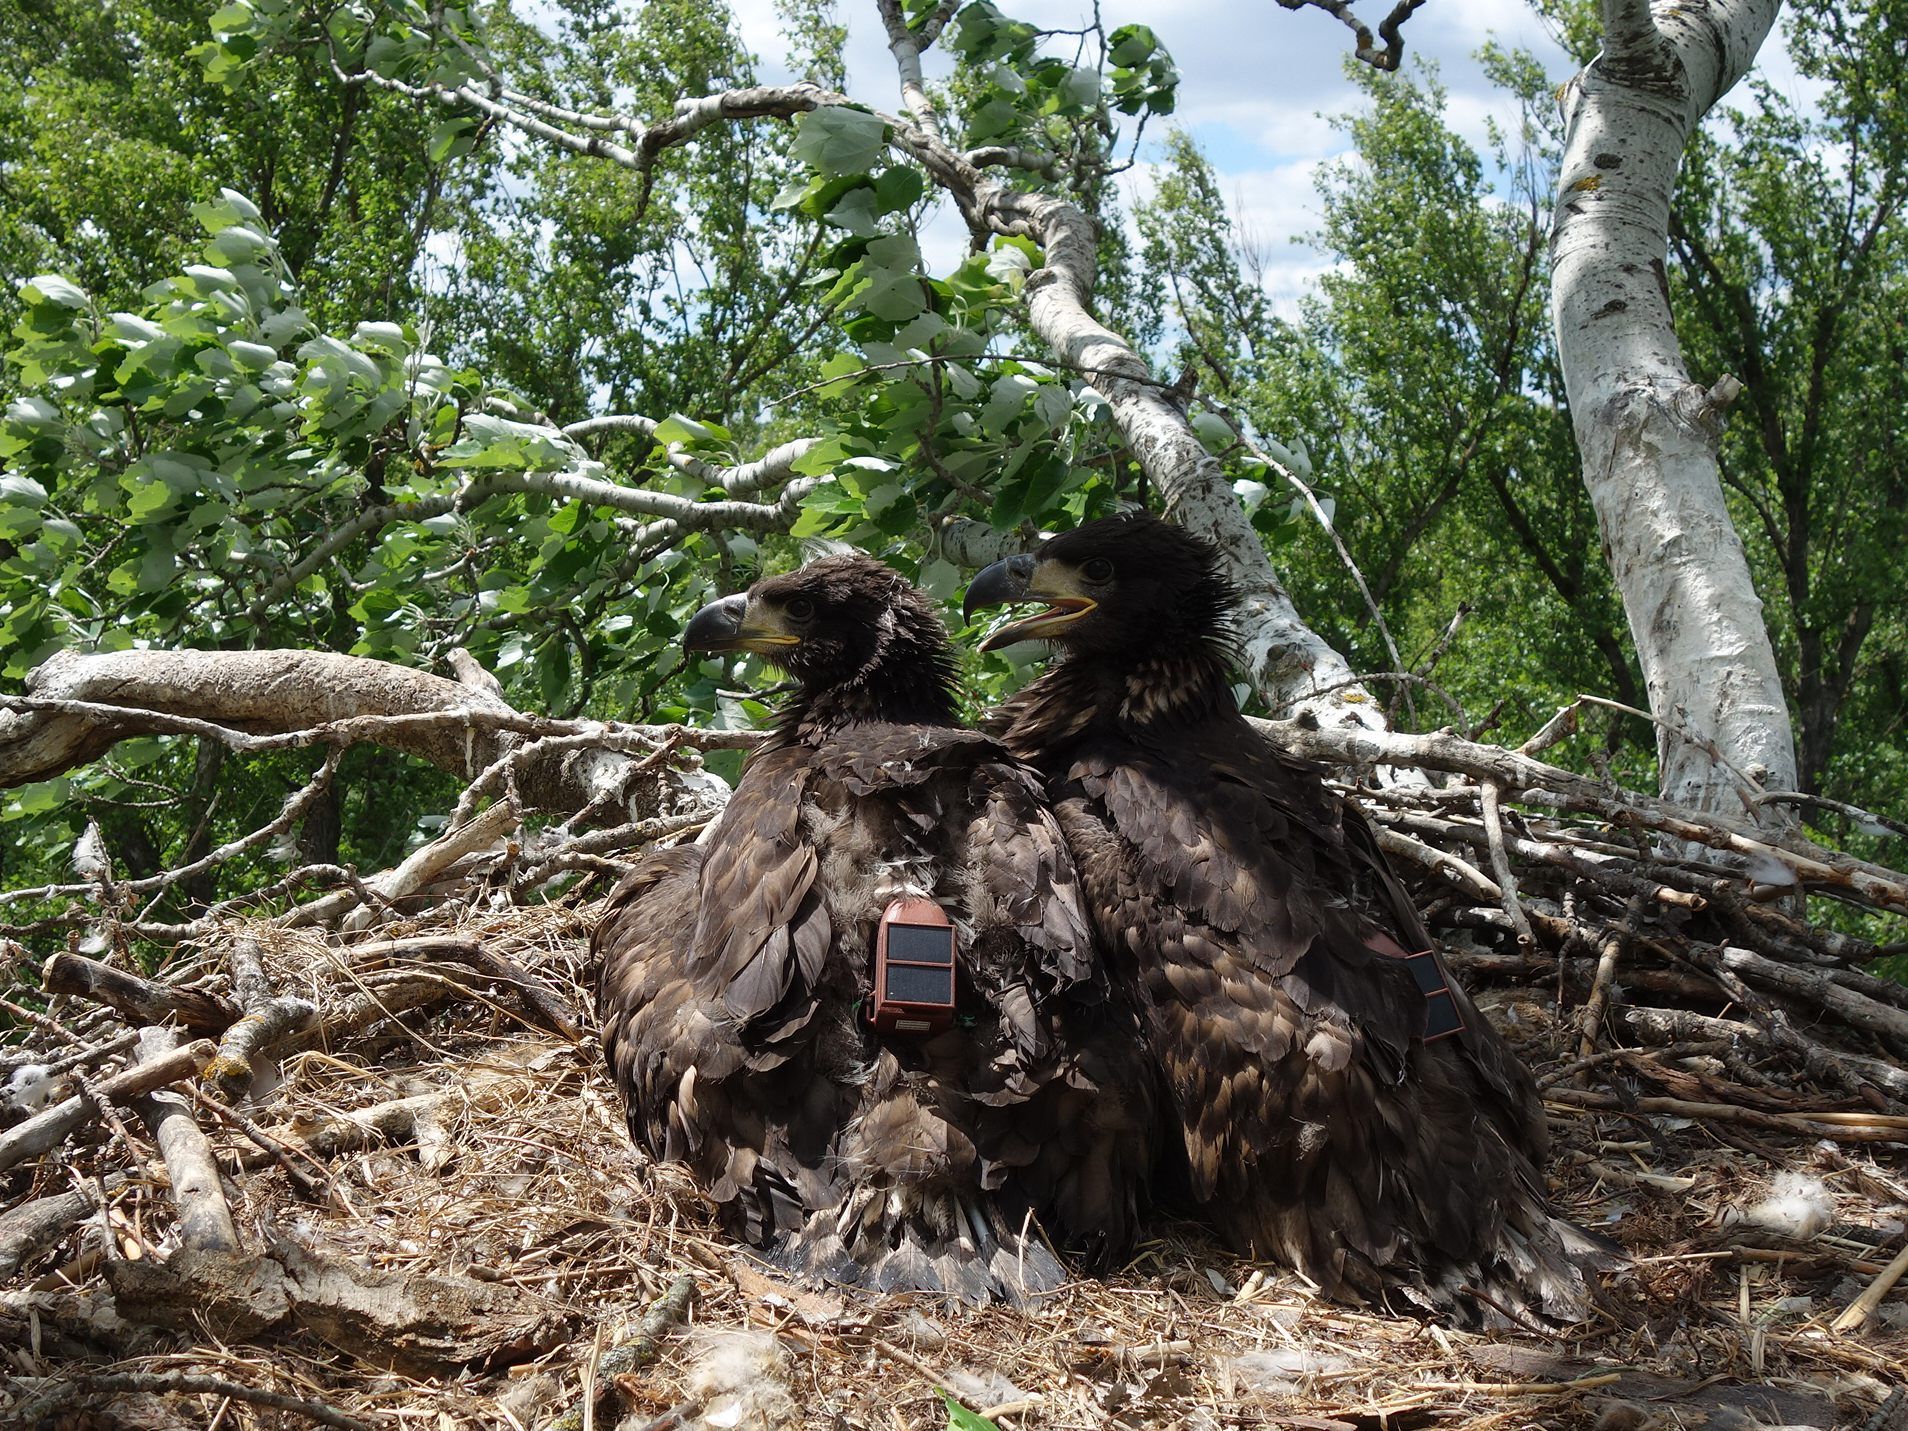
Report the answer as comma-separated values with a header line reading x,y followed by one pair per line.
x,y
1241,903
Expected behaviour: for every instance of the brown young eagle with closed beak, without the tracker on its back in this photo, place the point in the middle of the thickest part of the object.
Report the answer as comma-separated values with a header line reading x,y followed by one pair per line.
x,y
736,972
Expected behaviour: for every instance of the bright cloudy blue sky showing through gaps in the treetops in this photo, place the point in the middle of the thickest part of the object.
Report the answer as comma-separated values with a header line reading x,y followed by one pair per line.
x,y
1258,87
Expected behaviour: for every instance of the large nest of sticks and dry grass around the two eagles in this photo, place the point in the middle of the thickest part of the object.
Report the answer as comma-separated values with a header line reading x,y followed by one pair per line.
x,y
404,1111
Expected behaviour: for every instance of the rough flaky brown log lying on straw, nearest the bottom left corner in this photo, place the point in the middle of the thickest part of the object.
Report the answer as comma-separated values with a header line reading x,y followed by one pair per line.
x,y
415,1323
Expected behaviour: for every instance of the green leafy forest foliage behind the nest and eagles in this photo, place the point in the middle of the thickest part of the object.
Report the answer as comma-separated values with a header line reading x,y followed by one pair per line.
x,y
320,362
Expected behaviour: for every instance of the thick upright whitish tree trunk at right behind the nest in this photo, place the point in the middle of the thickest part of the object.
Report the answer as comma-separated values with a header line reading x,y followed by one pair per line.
x,y
1648,434
